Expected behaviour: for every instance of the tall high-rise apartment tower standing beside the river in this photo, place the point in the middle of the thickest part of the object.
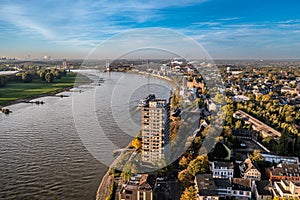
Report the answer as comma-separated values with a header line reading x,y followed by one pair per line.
x,y
155,129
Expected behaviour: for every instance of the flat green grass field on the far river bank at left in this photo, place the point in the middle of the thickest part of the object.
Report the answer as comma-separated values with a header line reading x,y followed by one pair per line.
x,y
18,90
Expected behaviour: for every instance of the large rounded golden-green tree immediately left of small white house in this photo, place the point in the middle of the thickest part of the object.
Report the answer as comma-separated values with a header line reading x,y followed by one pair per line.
x,y
198,165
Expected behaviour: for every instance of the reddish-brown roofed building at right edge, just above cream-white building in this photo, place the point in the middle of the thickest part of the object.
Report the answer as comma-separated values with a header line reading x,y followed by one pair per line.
x,y
284,171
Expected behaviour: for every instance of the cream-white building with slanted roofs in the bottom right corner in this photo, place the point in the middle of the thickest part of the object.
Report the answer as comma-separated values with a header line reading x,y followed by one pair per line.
x,y
286,189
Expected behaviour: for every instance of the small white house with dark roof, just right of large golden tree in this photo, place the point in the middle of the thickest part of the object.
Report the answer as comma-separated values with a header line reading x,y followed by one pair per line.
x,y
222,169
